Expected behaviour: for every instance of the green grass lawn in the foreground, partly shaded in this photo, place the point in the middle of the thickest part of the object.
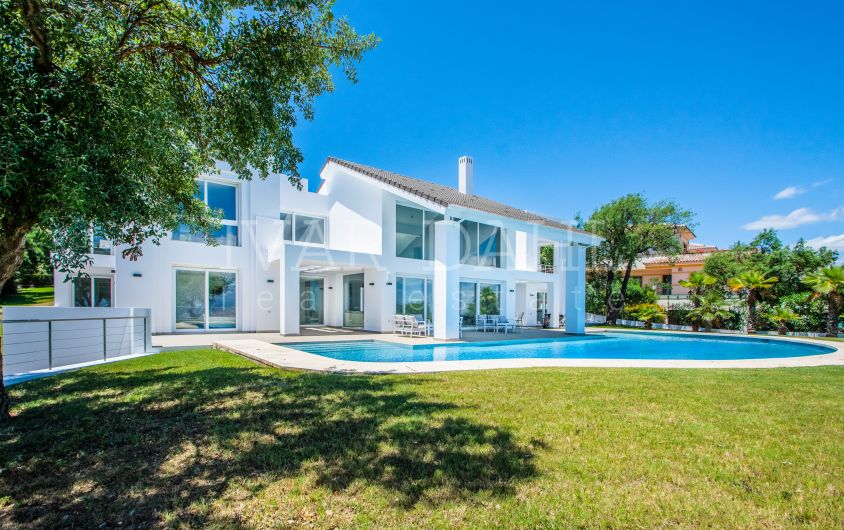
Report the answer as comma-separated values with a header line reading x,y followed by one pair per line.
x,y
204,438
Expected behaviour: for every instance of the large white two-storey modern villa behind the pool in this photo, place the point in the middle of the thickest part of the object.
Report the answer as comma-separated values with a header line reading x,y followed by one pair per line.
x,y
367,245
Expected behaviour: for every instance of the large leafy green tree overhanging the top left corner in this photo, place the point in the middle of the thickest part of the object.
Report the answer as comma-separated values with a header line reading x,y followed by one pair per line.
x,y
109,109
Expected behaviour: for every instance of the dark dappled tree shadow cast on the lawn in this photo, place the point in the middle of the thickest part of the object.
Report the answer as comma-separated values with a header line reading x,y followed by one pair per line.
x,y
127,447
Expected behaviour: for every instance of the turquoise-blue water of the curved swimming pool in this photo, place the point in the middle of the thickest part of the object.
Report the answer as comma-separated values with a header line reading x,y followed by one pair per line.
x,y
609,345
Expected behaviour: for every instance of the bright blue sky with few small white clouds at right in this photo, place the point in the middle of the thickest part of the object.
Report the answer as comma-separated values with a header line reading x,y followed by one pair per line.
x,y
736,110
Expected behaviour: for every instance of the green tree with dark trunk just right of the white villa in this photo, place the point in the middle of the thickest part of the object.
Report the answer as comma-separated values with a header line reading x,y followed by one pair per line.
x,y
631,227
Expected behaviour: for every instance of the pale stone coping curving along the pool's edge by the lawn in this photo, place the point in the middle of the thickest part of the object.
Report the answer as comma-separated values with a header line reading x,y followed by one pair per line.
x,y
279,356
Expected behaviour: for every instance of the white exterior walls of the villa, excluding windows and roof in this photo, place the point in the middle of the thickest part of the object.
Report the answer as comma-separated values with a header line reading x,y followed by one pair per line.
x,y
360,237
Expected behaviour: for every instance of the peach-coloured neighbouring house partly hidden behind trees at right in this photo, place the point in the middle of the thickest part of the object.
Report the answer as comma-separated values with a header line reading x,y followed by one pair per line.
x,y
663,273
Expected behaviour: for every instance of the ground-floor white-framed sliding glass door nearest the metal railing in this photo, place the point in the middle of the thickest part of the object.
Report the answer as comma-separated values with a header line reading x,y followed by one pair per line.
x,y
205,300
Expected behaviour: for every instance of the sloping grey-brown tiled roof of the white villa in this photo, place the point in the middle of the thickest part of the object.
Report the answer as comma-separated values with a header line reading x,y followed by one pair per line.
x,y
447,196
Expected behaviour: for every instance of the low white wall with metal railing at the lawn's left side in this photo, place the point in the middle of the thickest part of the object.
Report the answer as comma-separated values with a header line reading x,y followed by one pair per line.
x,y
37,344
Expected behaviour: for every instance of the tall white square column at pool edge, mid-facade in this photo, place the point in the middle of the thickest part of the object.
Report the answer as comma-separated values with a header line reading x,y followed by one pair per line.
x,y
446,280
